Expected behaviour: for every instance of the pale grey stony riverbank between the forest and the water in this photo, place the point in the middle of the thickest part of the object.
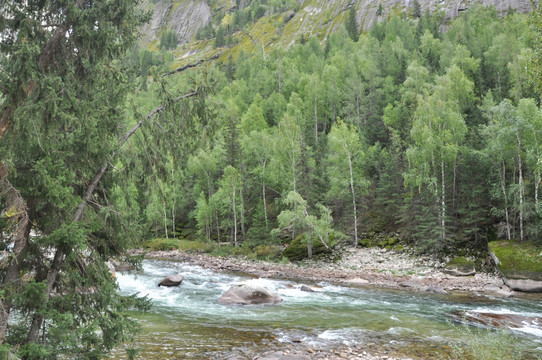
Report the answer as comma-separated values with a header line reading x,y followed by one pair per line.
x,y
357,267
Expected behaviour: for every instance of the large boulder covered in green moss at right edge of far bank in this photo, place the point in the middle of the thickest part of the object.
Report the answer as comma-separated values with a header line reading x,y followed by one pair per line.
x,y
518,260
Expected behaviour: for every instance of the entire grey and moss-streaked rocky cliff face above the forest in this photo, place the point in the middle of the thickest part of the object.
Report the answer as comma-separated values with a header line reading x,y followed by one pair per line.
x,y
311,18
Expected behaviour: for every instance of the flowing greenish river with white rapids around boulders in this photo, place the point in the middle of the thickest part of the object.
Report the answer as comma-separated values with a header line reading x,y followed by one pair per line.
x,y
186,322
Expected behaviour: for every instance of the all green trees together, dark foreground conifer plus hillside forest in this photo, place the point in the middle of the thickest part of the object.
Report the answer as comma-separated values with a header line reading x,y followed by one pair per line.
x,y
421,129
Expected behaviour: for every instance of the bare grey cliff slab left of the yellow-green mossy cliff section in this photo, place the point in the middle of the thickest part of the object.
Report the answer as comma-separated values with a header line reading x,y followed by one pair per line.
x,y
184,17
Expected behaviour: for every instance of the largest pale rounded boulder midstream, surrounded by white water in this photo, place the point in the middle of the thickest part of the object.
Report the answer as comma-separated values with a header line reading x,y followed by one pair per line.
x,y
249,295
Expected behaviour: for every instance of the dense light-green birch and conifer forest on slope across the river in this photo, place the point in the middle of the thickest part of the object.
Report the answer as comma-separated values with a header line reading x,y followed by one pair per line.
x,y
420,128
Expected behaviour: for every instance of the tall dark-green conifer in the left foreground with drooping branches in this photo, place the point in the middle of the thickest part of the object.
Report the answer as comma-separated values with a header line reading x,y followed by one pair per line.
x,y
62,118
